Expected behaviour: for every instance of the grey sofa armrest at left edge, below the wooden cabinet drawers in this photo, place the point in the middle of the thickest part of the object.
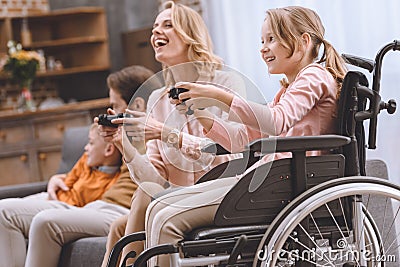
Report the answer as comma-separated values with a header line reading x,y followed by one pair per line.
x,y
22,190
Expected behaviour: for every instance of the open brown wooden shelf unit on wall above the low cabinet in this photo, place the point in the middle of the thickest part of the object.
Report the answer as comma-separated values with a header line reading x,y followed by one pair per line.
x,y
77,37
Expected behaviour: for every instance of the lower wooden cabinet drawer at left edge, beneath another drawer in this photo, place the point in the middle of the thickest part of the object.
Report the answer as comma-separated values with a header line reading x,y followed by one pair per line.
x,y
15,169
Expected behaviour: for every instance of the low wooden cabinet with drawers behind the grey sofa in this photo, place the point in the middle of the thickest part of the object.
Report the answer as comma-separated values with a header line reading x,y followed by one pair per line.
x,y
30,143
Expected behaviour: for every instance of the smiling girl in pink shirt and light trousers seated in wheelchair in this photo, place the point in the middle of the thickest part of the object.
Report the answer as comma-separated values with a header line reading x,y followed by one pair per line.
x,y
305,104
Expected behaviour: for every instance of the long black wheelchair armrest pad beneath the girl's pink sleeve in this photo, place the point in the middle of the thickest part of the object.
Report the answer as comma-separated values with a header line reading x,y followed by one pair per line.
x,y
297,143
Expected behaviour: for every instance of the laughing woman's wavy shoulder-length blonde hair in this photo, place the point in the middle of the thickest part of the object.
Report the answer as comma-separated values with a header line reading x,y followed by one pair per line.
x,y
191,27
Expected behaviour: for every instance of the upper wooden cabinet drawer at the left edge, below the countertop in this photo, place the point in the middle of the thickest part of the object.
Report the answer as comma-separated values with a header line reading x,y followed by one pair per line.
x,y
15,134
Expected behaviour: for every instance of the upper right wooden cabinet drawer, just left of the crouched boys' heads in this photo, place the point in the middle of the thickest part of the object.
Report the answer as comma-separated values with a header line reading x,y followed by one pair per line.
x,y
53,131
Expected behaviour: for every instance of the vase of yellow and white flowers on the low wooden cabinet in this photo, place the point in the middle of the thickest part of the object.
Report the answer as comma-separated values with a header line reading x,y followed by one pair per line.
x,y
22,66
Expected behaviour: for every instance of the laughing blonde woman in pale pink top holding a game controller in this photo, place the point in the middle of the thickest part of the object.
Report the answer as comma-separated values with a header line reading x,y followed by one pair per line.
x,y
182,44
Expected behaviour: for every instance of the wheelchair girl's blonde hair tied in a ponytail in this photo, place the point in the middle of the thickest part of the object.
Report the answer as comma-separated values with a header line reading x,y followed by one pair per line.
x,y
289,23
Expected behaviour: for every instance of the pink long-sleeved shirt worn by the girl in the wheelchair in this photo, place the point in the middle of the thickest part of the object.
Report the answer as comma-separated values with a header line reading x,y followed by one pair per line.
x,y
306,107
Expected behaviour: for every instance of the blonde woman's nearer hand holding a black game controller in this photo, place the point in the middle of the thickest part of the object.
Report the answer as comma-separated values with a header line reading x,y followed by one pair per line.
x,y
140,126
